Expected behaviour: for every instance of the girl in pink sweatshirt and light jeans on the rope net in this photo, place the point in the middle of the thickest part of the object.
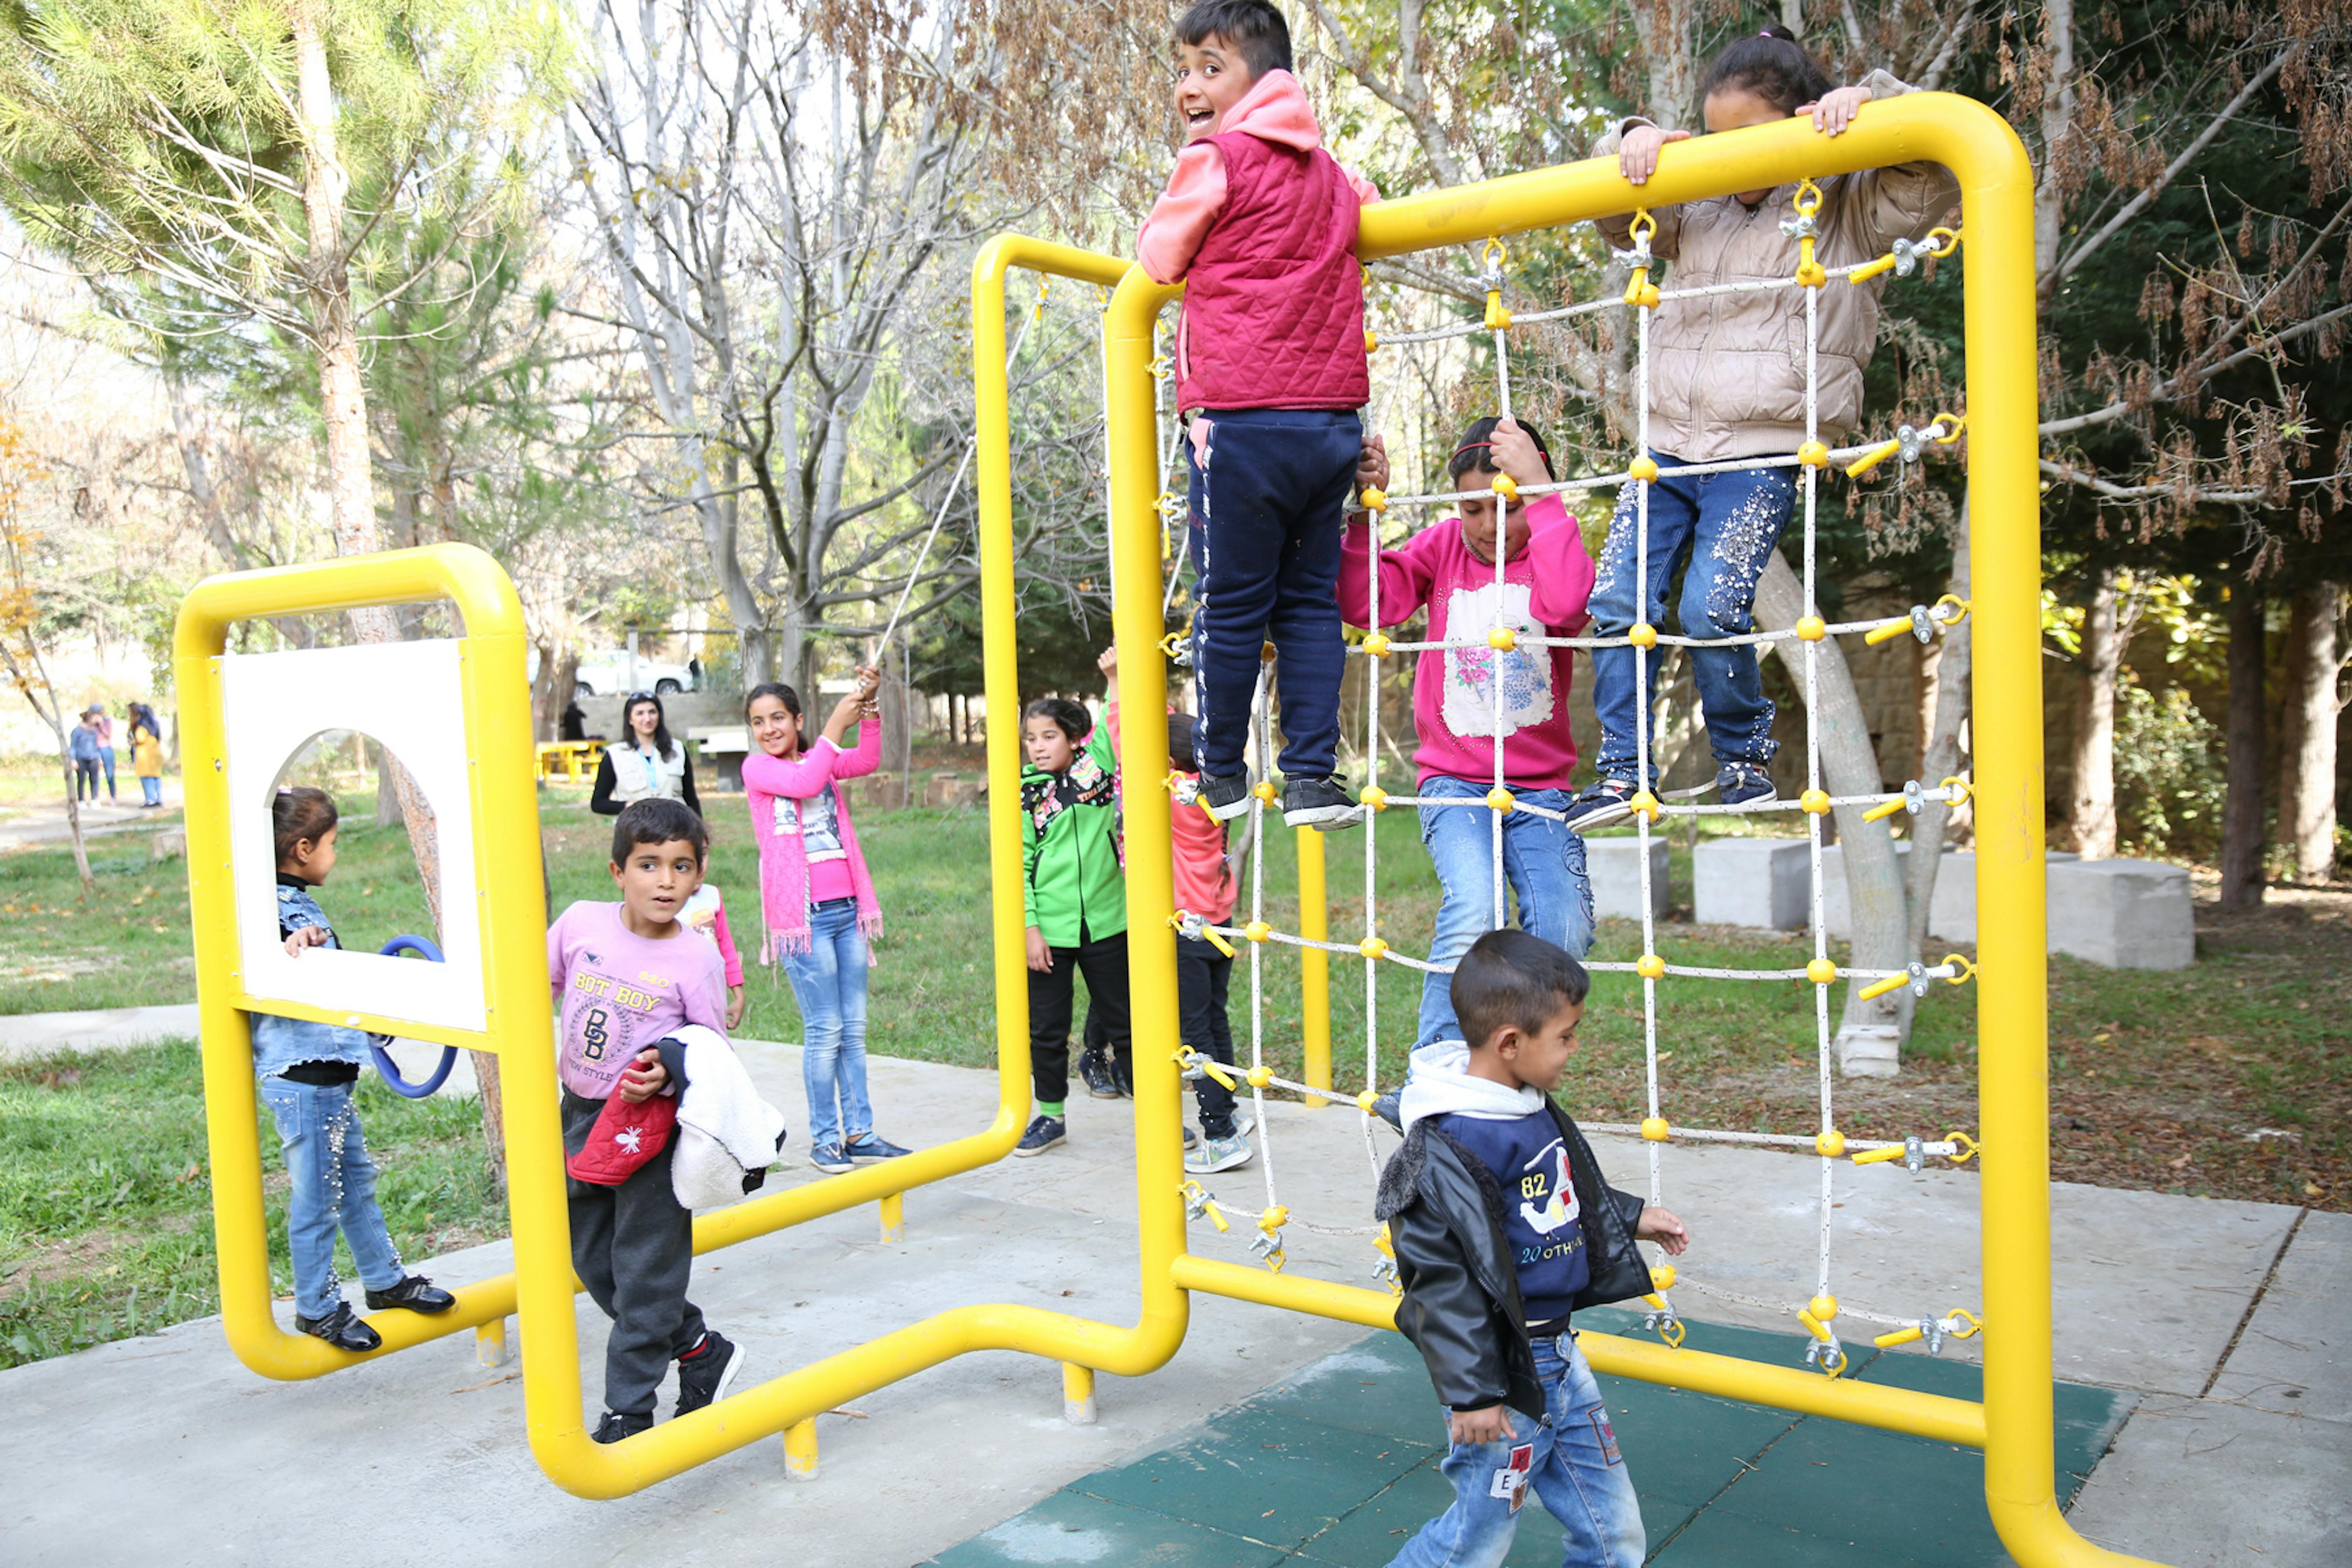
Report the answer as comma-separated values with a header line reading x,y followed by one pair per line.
x,y
1450,570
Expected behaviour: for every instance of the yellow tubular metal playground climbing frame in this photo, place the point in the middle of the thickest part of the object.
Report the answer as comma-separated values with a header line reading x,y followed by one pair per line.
x,y
2014,1421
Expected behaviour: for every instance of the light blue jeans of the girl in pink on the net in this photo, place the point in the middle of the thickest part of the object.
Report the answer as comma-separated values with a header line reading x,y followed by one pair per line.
x,y
1542,862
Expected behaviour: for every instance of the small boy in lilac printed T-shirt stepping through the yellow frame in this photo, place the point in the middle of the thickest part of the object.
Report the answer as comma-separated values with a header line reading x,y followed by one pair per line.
x,y
627,977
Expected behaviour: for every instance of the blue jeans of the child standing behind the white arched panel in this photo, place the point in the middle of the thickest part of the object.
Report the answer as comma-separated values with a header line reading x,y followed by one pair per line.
x,y
335,1188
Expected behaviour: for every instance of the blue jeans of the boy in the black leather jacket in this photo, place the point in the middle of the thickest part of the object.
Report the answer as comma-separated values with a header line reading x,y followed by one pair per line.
x,y
1572,1466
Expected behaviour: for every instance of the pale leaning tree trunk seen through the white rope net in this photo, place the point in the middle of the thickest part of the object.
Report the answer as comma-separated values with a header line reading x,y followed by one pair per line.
x,y
1871,1036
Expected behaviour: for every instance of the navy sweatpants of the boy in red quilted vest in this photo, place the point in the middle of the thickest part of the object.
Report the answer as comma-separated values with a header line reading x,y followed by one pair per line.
x,y
1269,507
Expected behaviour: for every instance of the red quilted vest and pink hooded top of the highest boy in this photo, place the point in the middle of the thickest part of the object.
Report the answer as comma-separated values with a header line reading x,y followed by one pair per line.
x,y
1262,222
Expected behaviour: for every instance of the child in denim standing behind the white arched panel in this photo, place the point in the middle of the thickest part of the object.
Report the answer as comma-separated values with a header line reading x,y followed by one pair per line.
x,y
307,1080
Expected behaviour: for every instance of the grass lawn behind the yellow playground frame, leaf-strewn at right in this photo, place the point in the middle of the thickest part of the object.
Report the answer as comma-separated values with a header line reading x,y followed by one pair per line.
x,y
2224,1080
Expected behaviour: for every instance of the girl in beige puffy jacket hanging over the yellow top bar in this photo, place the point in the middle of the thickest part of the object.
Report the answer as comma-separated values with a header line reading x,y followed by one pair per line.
x,y
1728,384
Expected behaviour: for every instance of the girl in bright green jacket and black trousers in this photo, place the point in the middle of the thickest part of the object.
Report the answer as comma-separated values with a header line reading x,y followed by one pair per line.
x,y
1076,899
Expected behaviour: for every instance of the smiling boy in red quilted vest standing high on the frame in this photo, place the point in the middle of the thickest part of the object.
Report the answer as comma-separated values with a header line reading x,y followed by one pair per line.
x,y
1271,370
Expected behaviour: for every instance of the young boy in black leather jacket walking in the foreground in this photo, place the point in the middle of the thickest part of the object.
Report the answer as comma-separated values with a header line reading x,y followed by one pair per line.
x,y
1504,1226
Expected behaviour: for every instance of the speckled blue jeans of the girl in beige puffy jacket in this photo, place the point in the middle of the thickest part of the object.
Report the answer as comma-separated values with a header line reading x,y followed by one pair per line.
x,y
1725,525
